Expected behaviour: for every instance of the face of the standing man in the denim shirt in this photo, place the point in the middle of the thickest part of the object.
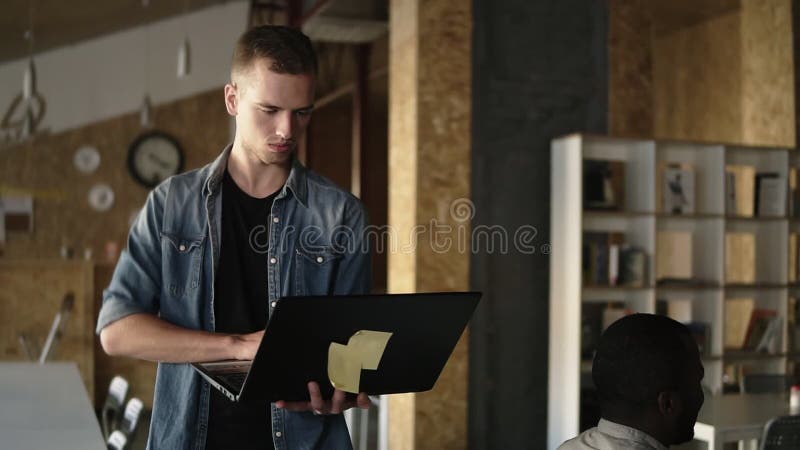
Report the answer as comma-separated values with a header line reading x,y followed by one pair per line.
x,y
272,110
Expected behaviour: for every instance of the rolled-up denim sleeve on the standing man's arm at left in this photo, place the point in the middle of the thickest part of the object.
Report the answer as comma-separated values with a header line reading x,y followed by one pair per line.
x,y
136,284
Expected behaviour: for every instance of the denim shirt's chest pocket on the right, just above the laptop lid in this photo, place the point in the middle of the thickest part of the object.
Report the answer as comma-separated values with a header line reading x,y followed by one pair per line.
x,y
315,270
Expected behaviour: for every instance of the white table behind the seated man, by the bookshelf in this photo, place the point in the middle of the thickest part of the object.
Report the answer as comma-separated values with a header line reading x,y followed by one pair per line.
x,y
735,417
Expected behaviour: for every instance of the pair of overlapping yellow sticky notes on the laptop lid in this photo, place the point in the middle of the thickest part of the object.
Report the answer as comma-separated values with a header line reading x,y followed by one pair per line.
x,y
364,350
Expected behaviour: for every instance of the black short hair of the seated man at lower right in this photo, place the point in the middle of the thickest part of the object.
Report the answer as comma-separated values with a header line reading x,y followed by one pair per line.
x,y
638,357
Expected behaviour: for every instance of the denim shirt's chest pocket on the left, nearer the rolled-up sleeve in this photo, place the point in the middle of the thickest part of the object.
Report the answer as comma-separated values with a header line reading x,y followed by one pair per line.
x,y
183,259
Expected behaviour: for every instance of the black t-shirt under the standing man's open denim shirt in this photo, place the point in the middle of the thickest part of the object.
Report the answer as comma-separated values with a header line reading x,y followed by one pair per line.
x,y
241,305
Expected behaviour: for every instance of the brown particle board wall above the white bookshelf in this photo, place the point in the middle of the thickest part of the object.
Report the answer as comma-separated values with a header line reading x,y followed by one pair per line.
x,y
712,70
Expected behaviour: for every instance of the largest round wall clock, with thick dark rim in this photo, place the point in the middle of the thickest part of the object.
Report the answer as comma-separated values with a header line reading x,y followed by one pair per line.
x,y
153,157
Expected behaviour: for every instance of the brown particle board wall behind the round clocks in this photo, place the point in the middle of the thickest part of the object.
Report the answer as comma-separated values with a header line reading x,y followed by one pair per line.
x,y
62,215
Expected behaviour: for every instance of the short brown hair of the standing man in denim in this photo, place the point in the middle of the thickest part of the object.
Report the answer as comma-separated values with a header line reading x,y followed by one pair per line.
x,y
288,48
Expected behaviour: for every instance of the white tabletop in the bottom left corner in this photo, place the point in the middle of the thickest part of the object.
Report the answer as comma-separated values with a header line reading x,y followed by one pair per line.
x,y
46,407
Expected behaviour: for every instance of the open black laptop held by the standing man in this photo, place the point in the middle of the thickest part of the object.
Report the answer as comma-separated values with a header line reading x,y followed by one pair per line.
x,y
378,344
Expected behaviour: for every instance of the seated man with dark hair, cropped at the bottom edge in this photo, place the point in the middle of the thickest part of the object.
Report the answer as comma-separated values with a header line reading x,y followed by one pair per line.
x,y
647,372
